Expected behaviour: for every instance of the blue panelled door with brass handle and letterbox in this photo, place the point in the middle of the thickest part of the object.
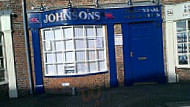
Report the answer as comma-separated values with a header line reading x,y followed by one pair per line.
x,y
143,52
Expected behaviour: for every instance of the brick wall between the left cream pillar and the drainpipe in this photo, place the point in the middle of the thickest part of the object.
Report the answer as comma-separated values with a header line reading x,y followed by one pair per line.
x,y
19,45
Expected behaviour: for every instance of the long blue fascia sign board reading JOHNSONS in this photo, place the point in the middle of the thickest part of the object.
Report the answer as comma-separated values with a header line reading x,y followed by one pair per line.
x,y
100,16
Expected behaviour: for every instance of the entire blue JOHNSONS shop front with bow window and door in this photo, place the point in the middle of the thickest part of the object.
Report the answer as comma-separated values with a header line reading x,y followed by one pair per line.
x,y
77,46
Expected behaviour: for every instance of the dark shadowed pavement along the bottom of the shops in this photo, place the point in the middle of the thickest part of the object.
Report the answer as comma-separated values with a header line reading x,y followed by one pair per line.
x,y
155,95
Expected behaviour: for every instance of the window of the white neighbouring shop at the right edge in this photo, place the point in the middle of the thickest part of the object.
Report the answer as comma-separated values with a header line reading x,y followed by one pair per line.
x,y
183,43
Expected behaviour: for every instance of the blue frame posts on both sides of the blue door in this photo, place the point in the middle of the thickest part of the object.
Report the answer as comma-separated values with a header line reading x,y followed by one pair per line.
x,y
128,76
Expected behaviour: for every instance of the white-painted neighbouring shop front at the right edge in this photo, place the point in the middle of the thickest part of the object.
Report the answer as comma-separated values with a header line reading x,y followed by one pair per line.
x,y
177,40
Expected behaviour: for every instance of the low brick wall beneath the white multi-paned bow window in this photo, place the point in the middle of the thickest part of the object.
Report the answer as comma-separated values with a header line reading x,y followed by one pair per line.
x,y
54,85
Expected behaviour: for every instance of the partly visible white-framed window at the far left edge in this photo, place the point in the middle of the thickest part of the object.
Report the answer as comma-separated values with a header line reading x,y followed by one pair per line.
x,y
3,74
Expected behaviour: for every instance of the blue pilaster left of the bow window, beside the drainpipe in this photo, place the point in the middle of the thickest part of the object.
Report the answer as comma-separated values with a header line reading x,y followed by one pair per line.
x,y
39,88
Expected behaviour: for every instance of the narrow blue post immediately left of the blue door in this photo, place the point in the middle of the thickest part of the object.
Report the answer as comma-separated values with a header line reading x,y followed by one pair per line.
x,y
128,80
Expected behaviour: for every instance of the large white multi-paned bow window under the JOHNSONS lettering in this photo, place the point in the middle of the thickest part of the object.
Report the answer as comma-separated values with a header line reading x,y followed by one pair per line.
x,y
74,50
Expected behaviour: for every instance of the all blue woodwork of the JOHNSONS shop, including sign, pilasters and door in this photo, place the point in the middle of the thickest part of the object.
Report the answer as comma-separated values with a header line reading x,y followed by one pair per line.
x,y
141,29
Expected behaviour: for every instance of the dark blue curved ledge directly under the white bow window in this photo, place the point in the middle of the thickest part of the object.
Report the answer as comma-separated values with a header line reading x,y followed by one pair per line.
x,y
82,75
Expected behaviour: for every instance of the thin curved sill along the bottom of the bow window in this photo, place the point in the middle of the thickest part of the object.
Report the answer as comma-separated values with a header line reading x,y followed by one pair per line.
x,y
76,75
